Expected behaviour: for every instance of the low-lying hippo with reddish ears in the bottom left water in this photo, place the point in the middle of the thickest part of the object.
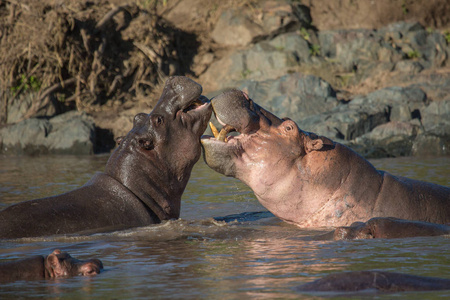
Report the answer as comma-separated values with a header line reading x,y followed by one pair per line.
x,y
57,264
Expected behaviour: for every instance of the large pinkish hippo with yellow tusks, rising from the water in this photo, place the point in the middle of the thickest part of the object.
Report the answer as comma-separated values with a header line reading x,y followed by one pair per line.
x,y
310,180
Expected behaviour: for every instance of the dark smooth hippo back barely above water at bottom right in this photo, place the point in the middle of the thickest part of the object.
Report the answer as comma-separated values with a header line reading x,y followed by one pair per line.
x,y
375,281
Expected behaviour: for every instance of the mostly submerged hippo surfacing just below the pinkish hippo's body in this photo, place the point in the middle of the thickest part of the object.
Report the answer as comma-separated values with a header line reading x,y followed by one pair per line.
x,y
389,228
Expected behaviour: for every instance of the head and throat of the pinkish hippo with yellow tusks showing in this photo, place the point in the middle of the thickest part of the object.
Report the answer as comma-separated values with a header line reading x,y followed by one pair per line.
x,y
266,154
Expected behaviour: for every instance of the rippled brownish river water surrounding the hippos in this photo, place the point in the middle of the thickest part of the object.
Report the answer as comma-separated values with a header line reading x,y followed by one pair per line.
x,y
198,257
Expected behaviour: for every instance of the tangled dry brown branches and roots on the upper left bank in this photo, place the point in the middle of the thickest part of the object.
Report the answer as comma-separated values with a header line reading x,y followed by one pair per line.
x,y
85,53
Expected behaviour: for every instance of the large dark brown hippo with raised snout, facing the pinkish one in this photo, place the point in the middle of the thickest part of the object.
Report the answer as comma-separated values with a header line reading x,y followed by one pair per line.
x,y
143,180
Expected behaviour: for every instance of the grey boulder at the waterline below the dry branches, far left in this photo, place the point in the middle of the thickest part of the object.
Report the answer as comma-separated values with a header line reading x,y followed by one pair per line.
x,y
69,133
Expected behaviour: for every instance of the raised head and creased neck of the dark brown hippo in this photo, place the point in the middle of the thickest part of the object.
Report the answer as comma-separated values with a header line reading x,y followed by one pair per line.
x,y
154,160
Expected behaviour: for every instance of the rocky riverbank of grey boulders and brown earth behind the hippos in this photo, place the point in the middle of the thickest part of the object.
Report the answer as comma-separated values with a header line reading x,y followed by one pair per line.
x,y
384,91
